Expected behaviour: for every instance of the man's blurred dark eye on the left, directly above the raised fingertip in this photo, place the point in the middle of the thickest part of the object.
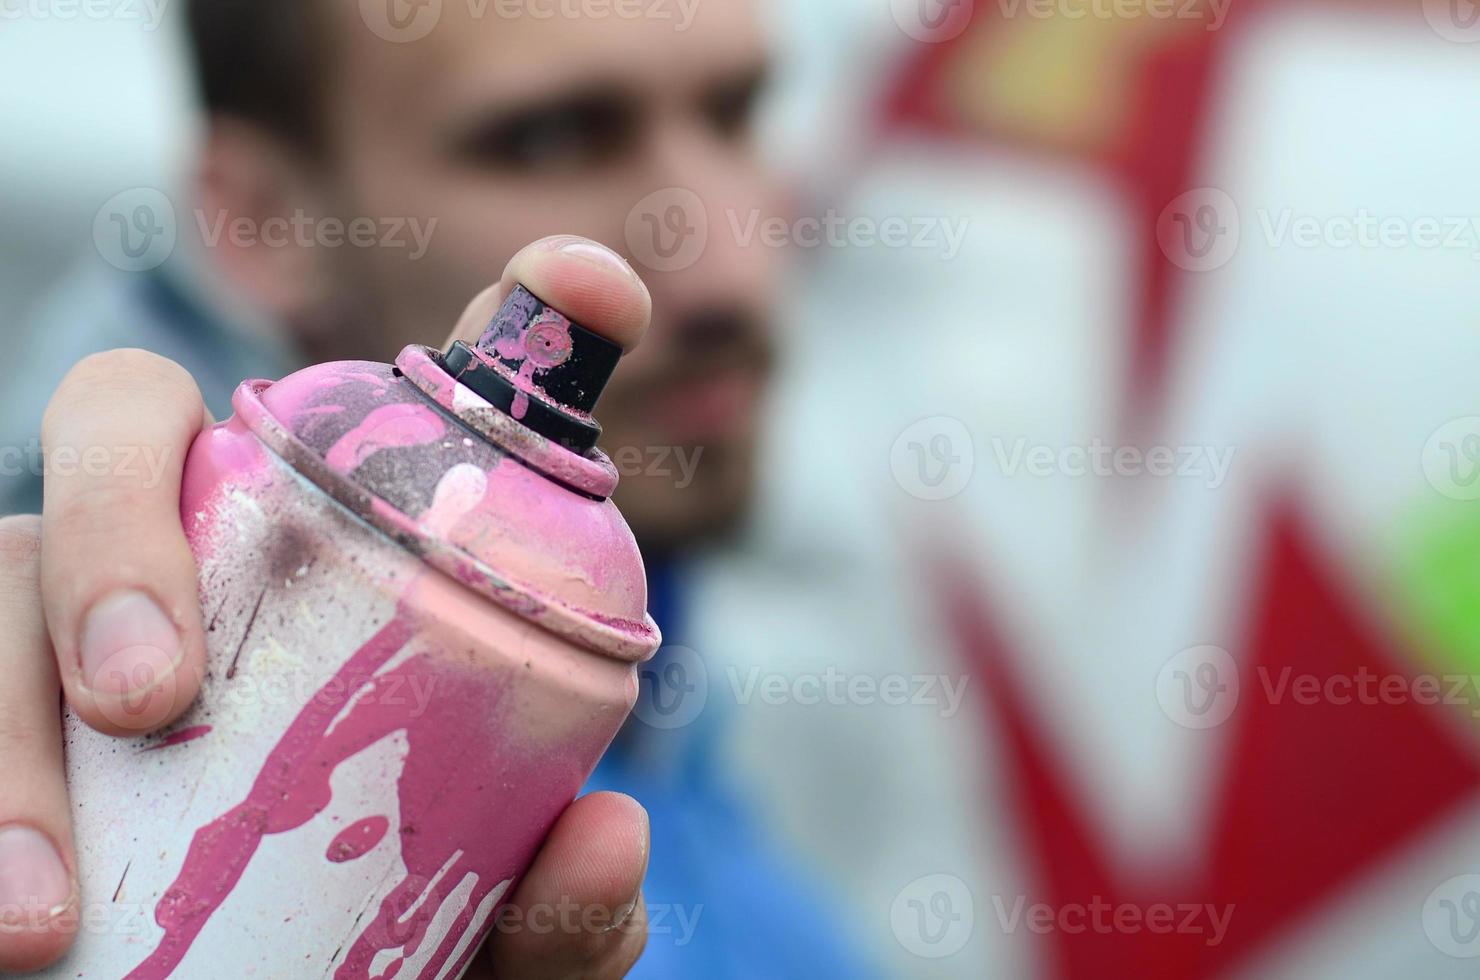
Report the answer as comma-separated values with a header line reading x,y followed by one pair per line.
x,y
572,137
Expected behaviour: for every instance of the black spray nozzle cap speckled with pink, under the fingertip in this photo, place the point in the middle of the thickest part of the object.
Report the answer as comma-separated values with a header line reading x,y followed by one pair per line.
x,y
553,369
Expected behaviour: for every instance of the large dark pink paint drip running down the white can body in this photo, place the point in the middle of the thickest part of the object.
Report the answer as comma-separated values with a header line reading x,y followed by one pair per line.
x,y
458,754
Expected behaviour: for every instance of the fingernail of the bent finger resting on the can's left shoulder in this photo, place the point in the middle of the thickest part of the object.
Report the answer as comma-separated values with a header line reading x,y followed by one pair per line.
x,y
129,645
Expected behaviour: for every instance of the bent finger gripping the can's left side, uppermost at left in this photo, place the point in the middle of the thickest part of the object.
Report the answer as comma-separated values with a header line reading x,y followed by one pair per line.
x,y
118,575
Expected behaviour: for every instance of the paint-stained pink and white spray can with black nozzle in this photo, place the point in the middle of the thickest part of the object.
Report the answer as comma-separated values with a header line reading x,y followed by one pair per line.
x,y
425,620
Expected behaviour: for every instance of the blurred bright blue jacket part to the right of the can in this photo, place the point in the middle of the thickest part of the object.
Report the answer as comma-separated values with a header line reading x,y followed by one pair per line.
x,y
724,902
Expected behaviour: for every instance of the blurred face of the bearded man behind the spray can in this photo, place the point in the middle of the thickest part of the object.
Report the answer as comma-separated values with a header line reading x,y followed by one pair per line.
x,y
510,128
